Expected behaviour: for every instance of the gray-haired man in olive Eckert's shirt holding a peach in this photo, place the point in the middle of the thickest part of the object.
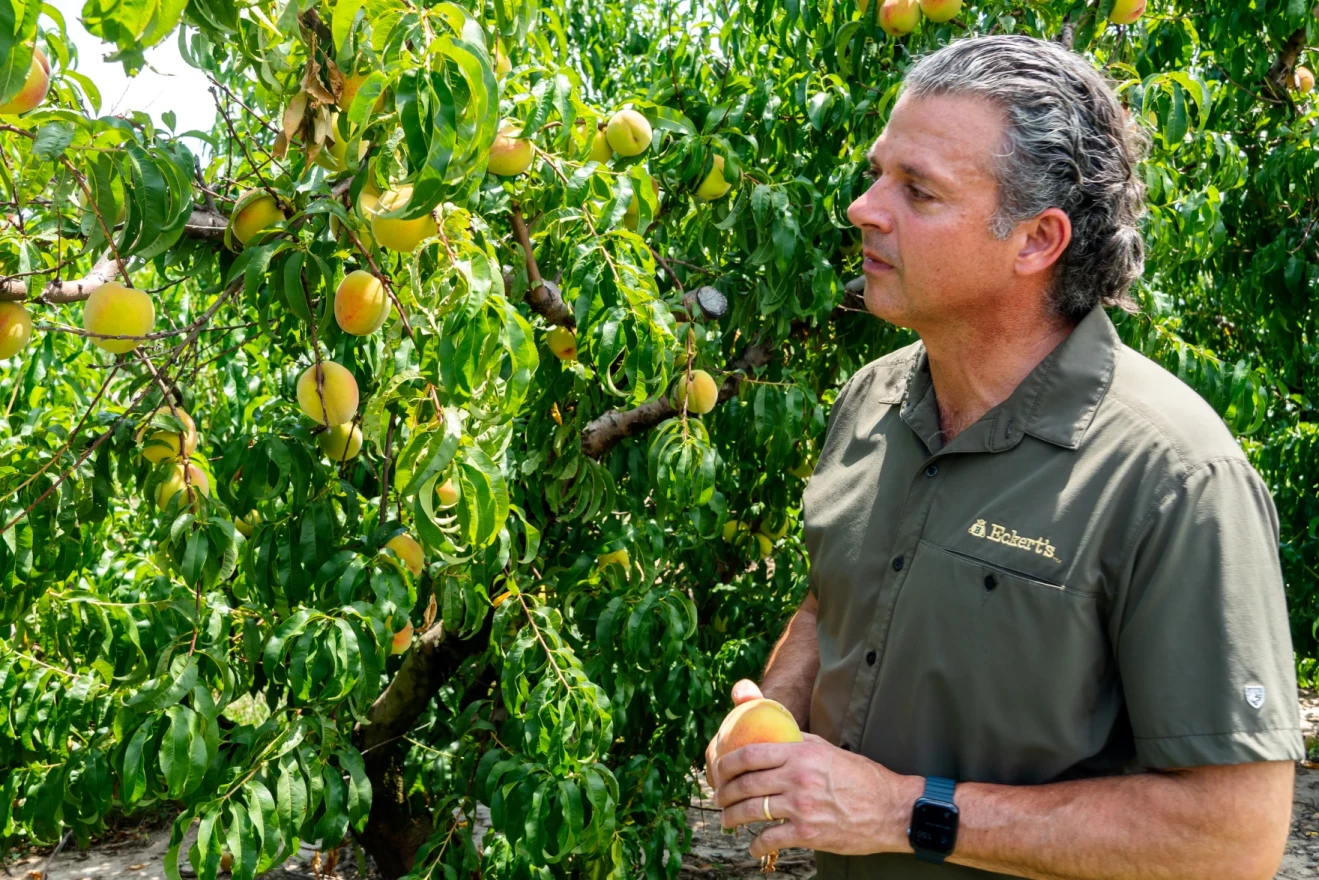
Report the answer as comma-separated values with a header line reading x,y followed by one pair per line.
x,y
1045,596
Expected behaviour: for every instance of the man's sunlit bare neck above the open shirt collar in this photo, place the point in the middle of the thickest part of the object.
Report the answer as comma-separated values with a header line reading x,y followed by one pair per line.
x,y
977,366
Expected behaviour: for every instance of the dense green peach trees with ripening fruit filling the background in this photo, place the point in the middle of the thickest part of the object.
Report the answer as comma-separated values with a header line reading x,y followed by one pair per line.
x,y
316,557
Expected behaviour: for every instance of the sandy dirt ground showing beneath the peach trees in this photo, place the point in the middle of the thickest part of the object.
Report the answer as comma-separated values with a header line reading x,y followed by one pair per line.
x,y
139,854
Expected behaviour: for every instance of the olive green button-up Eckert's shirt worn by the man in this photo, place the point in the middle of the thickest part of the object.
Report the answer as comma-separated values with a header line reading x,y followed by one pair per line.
x,y
1082,584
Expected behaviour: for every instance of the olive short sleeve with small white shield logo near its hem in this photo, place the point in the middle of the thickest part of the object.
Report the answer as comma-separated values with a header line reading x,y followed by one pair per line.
x,y
1201,629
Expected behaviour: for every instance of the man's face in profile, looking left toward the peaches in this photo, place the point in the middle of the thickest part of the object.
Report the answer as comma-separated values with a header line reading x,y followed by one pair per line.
x,y
925,221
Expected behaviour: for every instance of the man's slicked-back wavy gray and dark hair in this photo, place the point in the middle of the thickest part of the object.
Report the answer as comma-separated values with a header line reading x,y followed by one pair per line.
x,y
1068,144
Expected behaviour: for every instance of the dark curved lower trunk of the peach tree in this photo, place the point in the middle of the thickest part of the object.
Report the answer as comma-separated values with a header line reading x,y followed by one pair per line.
x,y
398,827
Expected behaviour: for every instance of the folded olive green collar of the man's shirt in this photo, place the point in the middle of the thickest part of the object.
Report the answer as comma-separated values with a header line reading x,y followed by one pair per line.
x,y
1055,403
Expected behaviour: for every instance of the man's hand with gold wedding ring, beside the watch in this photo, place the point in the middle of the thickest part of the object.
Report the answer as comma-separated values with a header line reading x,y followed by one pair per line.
x,y
833,800
